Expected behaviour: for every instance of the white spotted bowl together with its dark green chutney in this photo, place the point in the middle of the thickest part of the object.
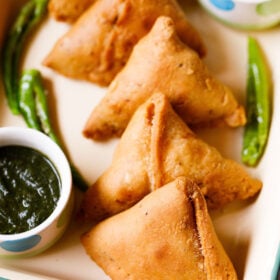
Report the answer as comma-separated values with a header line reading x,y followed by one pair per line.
x,y
36,199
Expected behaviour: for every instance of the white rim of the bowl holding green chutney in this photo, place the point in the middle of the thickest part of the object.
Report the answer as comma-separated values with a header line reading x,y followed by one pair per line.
x,y
65,176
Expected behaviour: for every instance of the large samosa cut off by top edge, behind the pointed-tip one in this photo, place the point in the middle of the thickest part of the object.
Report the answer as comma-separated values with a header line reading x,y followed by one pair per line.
x,y
98,45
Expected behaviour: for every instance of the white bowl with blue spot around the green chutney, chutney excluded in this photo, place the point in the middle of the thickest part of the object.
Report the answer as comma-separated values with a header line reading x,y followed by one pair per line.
x,y
38,239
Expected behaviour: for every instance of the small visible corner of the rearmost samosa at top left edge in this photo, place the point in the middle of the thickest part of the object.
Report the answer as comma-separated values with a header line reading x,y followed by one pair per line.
x,y
68,10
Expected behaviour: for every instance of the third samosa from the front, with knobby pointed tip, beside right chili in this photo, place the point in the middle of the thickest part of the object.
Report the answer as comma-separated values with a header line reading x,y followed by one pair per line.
x,y
161,62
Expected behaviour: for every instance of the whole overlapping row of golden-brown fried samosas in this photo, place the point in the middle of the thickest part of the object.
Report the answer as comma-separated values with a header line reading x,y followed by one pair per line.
x,y
149,209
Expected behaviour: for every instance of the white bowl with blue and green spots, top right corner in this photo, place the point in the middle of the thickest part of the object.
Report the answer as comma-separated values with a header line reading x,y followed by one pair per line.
x,y
245,14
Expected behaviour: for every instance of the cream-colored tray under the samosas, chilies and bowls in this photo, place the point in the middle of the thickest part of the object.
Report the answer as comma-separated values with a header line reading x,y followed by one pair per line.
x,y
250,232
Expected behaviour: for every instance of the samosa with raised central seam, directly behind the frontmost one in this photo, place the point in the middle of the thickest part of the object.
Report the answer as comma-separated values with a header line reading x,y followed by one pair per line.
x,y
156,148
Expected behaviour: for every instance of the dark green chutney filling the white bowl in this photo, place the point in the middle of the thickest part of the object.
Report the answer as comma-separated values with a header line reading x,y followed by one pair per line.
x,y
29,188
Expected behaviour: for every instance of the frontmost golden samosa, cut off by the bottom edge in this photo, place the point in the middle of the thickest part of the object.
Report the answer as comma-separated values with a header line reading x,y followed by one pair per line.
x,y
168,235
